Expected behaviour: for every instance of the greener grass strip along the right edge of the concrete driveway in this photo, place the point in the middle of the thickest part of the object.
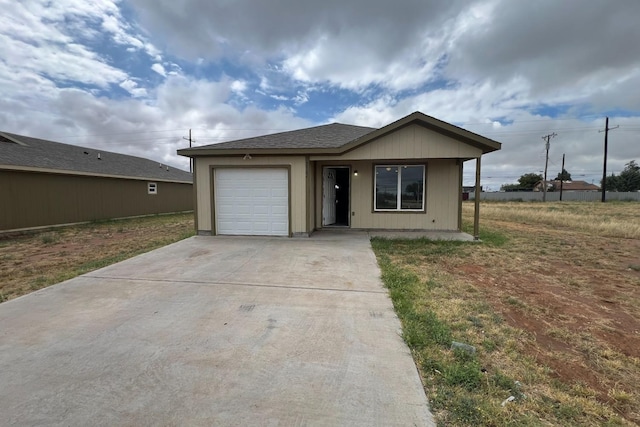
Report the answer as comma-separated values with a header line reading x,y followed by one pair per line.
x,y
460,390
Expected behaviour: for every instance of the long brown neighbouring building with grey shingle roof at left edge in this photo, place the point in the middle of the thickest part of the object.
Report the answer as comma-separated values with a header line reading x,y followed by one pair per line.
x,y
45,183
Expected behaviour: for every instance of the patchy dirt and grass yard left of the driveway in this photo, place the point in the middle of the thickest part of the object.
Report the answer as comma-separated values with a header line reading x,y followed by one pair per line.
x,y
32,261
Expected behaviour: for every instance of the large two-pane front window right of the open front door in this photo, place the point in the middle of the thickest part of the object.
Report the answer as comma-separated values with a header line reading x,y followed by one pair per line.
x,y
399,188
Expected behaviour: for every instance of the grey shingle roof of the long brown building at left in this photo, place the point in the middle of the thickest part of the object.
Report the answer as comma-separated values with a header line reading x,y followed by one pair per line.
x,y
23,151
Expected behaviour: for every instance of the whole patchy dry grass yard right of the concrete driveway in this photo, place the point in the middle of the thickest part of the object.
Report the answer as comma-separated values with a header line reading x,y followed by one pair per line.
x,y
550,299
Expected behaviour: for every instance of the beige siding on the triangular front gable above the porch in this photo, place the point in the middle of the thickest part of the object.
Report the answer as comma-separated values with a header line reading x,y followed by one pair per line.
x,y
411,142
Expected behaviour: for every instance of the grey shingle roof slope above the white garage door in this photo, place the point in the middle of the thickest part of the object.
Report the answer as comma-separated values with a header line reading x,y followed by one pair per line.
x,y
334,135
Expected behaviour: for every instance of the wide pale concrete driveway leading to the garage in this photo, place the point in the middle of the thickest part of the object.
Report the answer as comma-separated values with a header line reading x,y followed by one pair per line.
x,y
214,331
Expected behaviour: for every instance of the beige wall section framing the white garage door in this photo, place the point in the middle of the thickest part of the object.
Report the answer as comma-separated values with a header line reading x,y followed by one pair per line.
x,y
297,183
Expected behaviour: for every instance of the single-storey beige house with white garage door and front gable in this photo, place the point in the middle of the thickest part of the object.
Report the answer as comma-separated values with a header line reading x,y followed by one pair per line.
x,y
403,176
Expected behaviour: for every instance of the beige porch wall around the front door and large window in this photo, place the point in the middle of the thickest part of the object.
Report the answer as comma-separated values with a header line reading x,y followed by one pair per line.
x,y
442,197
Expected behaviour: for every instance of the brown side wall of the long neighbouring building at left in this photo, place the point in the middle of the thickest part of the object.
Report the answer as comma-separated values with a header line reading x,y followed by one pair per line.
x,y
33,199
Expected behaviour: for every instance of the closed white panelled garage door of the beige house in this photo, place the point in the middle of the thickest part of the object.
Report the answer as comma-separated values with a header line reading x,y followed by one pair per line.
x,y
253,202
